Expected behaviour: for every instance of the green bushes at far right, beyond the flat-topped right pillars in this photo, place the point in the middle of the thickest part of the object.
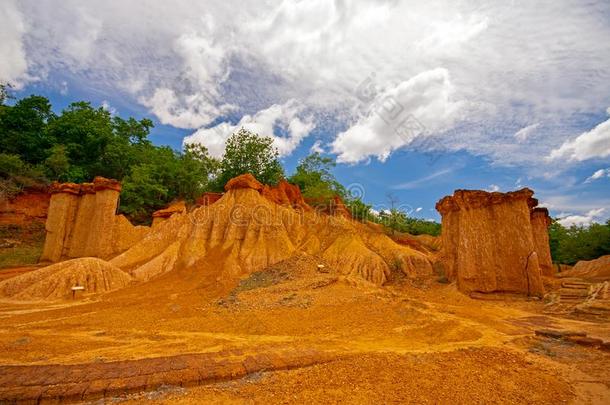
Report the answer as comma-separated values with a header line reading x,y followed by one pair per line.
x,y
571,244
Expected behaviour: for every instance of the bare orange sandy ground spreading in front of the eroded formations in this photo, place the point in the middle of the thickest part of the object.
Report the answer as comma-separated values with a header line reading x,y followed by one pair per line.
x,y
402,343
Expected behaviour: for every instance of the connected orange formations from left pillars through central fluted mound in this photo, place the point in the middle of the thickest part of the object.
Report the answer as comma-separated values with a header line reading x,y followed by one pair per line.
x,y
250,228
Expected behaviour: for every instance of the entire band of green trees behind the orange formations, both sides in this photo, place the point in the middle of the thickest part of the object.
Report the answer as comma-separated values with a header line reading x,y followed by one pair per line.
x,y
38,146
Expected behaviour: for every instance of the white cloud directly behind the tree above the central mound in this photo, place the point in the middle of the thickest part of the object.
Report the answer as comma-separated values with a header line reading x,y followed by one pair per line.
x,y
287,118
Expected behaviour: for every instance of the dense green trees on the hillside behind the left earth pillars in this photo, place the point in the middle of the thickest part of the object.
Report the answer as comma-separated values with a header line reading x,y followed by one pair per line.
x,y
38,146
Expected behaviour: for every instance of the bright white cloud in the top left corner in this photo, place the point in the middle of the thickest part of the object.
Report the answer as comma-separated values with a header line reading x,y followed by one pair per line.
x,y
13,63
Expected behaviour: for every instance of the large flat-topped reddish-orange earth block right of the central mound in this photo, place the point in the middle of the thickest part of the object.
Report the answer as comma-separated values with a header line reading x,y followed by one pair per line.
x,y
488,242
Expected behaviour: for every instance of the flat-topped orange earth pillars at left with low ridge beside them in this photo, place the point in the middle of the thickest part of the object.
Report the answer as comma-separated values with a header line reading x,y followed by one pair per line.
x,y
82,222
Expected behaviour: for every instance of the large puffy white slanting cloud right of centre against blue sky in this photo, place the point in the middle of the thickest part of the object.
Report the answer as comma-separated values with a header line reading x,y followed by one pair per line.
x,y
427,97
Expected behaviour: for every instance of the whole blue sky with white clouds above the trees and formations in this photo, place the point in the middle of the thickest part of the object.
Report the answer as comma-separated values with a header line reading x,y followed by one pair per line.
x,y
412,98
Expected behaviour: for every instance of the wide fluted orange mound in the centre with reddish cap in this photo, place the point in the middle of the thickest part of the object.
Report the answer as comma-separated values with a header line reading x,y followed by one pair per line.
x,y
246,231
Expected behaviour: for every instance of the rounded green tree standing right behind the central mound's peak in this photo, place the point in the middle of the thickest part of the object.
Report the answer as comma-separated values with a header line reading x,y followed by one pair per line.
x,y
247,152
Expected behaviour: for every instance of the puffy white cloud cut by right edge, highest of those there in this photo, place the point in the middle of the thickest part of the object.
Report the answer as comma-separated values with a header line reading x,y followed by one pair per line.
x,y
588,145
